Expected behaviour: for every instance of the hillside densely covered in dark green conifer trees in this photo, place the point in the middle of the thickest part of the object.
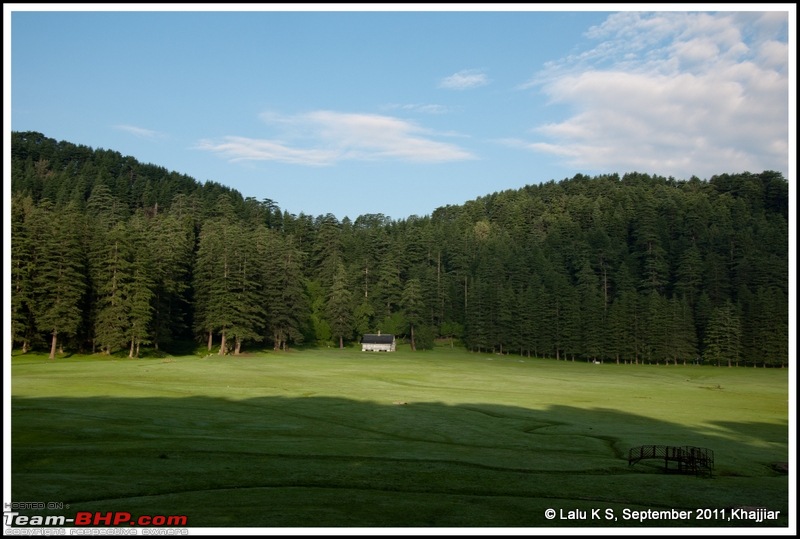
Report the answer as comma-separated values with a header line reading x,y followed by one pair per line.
x,y
110,255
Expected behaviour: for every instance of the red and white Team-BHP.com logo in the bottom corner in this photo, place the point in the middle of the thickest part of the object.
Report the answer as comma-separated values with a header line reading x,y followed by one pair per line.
x,y
97,518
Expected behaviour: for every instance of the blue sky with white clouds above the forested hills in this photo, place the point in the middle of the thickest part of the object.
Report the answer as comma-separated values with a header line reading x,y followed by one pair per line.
x,y
361,110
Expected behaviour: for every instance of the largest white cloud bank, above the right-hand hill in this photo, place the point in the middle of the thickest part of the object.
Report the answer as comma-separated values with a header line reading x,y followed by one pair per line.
x,y
675,94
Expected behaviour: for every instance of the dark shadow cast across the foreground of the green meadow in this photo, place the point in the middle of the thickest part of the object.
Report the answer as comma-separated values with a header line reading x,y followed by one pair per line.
x,y
333,462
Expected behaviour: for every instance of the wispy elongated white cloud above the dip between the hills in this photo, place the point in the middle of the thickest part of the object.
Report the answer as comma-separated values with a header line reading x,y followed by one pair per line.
x,y
323,138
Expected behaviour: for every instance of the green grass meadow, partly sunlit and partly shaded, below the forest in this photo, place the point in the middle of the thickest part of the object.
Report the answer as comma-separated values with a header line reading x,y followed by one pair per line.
x,y
443,438
